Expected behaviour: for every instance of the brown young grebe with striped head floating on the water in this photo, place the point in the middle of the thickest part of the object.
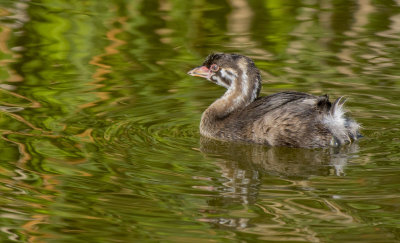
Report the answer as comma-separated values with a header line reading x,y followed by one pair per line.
x,y
287,118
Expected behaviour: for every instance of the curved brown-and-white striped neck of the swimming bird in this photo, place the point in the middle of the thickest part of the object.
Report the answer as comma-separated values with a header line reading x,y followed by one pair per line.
x,y
242,91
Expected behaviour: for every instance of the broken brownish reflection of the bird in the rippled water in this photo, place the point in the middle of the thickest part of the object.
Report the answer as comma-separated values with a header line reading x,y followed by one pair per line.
x,y
243,167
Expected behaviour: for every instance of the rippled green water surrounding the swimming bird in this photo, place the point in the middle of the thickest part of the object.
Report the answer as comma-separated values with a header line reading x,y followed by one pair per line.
x,y
99,122
